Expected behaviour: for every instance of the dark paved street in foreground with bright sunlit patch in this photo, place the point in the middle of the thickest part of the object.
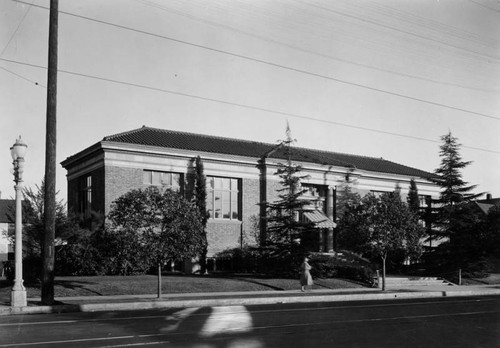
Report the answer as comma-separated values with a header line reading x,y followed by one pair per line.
x,y
438,322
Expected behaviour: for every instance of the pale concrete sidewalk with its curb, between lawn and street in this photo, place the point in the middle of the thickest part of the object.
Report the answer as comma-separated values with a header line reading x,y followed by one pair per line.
x,y
135,302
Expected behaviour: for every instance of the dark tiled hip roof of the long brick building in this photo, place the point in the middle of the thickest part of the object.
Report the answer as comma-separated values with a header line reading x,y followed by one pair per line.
x,y
229,146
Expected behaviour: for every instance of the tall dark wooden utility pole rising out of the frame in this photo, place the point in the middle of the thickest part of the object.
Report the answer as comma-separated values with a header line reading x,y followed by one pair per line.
x,y
48,252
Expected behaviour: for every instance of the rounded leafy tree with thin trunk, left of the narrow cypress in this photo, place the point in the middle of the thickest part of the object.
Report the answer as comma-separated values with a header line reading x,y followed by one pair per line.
x,y
168,227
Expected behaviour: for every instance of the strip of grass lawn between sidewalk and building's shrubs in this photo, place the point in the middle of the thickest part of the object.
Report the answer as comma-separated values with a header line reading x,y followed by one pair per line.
x,y
147,284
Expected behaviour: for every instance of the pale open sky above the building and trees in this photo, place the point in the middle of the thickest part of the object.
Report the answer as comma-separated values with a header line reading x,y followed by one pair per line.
x,y
381,78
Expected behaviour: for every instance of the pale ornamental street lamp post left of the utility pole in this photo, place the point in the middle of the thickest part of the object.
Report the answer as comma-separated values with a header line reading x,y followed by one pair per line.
x,y
18,293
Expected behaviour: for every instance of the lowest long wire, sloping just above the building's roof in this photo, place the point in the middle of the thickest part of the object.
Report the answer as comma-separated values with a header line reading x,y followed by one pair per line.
x,y
251,107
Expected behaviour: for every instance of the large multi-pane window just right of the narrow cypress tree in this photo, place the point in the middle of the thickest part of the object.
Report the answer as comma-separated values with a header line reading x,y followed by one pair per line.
x,y
223,198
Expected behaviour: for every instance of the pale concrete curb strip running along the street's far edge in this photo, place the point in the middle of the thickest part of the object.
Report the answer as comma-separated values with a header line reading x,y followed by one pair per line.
x,y
213,302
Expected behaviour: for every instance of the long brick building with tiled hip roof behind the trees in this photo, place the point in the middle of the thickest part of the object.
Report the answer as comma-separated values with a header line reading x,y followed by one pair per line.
x,y
239,173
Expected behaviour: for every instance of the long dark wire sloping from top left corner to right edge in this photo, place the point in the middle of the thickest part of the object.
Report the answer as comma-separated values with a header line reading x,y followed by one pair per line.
x,y
274,64
